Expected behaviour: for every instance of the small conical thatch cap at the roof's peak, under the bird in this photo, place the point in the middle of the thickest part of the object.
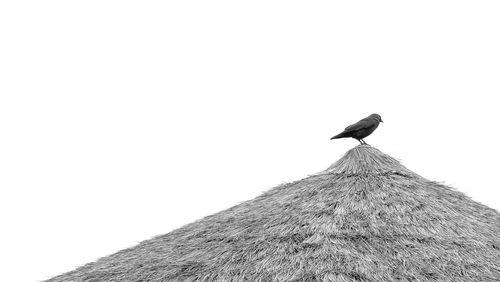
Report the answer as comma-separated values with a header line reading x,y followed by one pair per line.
x,y
365,159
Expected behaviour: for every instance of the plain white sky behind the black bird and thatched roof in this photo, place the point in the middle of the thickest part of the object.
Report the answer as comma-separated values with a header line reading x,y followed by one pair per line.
x,y
122,120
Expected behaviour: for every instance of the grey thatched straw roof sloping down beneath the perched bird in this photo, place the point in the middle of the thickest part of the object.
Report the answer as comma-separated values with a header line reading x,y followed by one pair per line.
x,y
366,218
